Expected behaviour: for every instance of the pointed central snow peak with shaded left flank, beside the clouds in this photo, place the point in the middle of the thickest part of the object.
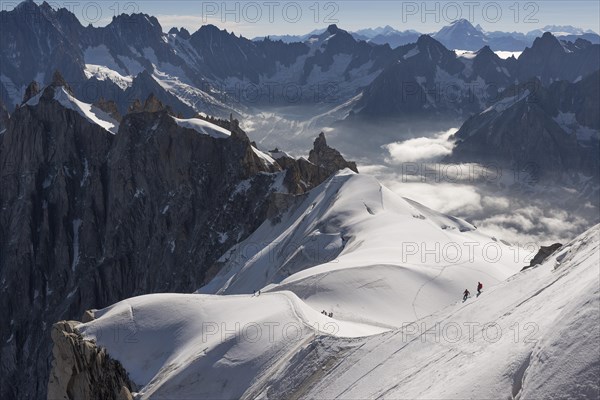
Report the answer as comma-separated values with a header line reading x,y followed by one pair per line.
x,y
356,249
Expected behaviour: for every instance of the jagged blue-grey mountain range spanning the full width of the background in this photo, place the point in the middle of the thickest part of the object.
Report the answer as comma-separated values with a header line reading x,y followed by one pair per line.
x,y
216,72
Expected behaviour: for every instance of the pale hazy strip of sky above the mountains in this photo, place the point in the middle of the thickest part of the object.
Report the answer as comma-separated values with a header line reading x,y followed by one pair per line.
x,y
258,18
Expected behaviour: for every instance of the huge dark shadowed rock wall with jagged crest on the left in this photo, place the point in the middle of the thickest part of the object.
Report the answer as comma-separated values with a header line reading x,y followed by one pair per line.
x,y
88,218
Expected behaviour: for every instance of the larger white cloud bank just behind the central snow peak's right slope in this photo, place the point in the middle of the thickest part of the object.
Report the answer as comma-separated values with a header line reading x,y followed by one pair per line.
x,y
499,213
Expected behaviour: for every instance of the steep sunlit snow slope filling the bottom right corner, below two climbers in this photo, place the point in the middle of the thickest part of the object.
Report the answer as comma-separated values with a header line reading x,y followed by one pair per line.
x,y
534,336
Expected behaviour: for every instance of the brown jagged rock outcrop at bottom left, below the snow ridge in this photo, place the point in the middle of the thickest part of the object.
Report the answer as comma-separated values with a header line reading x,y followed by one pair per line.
x,y
81,370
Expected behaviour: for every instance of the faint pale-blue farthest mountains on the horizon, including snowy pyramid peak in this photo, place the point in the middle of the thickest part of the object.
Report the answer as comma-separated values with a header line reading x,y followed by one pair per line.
x,y
460,35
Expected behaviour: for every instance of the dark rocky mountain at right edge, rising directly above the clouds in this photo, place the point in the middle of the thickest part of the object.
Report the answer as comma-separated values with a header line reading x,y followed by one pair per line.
x,y
524,128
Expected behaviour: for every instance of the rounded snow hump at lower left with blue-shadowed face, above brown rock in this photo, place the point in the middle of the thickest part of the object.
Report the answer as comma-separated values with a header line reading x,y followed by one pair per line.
x,y
217,347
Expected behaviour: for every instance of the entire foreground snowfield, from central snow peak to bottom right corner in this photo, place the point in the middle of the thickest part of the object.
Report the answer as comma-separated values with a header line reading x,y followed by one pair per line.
x,y
278,345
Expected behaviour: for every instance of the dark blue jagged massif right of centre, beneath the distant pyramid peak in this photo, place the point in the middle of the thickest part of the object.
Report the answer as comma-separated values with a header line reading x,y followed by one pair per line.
x,y
430,80
